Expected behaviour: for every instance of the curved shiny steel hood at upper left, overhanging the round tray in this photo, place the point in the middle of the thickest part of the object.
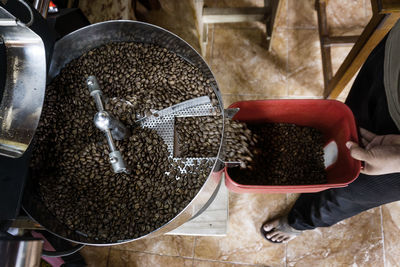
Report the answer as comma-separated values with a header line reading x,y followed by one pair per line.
x,y
25,85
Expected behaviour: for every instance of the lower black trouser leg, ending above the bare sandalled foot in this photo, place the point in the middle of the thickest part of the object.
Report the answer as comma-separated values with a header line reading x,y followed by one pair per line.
x,y
331,206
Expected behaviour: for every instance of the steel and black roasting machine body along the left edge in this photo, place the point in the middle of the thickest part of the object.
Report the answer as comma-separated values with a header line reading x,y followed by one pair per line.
x,y
22,89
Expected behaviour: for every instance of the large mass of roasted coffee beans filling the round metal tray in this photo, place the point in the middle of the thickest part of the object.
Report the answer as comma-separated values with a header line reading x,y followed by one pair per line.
x,y
70,161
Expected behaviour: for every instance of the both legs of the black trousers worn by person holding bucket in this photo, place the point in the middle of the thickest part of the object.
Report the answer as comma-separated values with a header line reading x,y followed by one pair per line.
x,y
367,100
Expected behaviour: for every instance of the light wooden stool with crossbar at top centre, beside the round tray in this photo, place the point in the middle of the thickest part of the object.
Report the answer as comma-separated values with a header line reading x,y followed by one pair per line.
x,y
265,14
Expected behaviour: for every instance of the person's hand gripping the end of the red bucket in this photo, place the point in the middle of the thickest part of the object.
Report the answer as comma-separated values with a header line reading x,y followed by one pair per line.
x,y
381,153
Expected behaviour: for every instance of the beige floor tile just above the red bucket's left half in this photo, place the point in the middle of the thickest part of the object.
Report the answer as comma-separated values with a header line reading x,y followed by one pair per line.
x,y
242,64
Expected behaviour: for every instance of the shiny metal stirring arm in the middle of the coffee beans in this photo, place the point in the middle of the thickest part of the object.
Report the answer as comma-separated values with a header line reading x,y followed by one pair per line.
x,y
108,124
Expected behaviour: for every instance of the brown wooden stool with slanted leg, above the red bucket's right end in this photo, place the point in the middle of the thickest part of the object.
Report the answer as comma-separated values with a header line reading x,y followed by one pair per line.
x,y
385,15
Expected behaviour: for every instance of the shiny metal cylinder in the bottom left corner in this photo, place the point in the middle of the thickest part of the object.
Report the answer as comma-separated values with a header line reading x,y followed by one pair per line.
x,y
20,253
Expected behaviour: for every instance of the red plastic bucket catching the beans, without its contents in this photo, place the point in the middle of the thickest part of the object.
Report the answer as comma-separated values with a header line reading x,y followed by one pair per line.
x,y
333,118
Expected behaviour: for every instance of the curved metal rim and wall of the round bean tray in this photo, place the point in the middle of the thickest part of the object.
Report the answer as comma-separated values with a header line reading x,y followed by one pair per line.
x,y
73,46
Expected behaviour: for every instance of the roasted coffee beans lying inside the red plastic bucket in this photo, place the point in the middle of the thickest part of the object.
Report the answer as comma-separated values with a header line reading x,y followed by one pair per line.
x,y
283,154
